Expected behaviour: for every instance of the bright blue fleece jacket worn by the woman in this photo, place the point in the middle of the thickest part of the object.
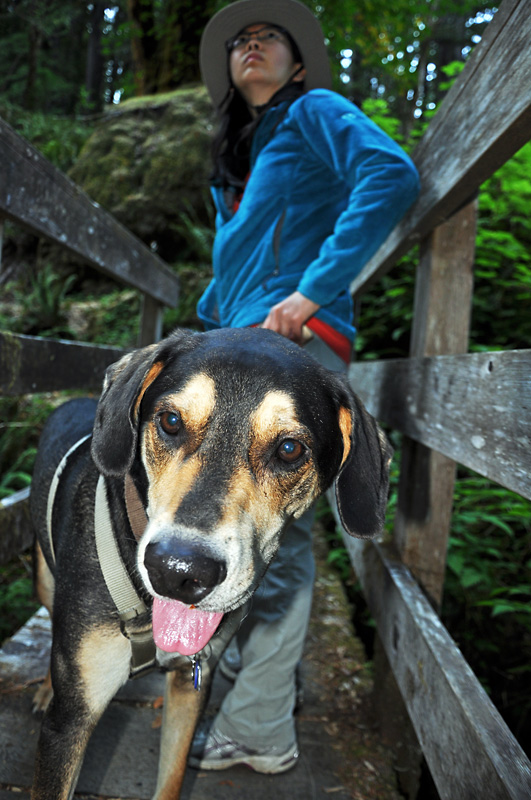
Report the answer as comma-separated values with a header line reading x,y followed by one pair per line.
x,y
325,190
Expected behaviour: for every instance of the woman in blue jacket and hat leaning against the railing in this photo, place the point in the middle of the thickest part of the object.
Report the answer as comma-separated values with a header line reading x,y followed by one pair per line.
x,y
306,189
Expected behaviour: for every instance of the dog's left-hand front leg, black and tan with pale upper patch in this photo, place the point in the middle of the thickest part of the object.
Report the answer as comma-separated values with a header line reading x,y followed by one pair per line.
x,y
84,682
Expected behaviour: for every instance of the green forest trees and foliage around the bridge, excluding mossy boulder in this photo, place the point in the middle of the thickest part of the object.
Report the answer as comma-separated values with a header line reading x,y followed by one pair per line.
x,y
65,68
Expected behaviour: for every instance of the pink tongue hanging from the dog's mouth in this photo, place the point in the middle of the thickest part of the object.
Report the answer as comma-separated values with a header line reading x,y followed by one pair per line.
x,y
178,628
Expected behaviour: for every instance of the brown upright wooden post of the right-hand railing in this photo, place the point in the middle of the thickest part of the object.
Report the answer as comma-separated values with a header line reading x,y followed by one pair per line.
x,y
441,323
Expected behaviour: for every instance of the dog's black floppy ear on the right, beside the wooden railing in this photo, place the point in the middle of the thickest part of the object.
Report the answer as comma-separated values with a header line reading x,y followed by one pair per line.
x,y
362,483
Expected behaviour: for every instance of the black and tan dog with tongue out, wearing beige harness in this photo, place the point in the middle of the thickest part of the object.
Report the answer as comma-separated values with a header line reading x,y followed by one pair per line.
x,y
182,477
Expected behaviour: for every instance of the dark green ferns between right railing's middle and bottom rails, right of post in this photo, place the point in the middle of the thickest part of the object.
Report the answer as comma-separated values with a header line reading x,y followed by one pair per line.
x,y
488,591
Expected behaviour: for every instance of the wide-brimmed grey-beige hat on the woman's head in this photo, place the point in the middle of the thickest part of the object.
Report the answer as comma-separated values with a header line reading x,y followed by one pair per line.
x,y
291,15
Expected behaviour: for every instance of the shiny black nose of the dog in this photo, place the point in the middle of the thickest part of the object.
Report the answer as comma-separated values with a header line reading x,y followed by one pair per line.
x,y
182,571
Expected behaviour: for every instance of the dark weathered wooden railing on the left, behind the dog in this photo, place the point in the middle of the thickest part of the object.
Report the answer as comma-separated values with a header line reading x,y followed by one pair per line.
x,y
37,196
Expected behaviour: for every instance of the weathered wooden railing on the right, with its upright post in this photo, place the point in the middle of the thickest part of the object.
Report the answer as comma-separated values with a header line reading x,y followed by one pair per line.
x,y
451,406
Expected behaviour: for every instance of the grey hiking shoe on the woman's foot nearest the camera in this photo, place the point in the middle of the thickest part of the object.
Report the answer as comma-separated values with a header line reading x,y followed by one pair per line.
x,y
213,750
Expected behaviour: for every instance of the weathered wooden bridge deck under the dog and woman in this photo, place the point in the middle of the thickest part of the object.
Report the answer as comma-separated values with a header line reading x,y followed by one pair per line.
x,y
341,756
